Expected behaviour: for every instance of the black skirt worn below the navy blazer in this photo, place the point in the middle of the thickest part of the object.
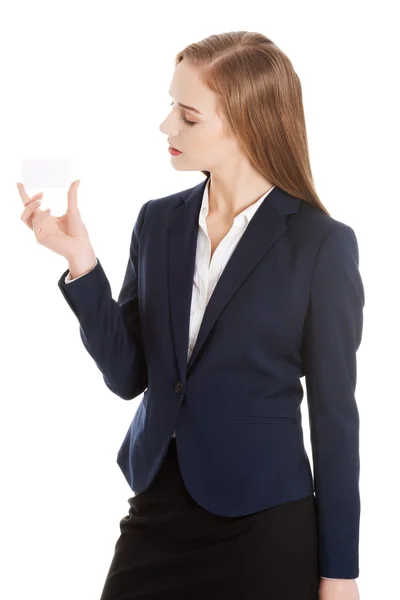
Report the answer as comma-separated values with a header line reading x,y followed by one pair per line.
x,y
172,548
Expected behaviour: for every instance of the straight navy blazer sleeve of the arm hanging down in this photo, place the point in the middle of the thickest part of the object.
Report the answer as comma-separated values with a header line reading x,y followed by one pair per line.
x,y
333,331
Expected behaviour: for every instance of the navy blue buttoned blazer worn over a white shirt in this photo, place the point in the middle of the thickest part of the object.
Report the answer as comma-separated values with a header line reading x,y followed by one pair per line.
x,y
288,304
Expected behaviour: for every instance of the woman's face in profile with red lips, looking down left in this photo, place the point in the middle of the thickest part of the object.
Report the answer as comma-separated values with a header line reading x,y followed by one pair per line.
x,y
201,139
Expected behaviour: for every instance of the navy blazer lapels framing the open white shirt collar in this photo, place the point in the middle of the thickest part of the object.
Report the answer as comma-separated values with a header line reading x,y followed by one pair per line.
x,y
266,226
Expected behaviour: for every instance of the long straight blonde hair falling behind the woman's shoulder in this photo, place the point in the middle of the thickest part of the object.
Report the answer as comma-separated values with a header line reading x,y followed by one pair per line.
x,y
259,98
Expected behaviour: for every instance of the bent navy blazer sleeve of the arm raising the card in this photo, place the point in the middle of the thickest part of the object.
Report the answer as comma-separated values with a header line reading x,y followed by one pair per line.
x,y
109,329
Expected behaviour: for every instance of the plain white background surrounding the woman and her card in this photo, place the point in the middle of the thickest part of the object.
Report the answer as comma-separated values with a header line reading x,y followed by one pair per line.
x,y
89,81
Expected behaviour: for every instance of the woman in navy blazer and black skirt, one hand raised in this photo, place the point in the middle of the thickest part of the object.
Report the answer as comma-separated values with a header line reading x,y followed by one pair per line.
x,y
234,290
